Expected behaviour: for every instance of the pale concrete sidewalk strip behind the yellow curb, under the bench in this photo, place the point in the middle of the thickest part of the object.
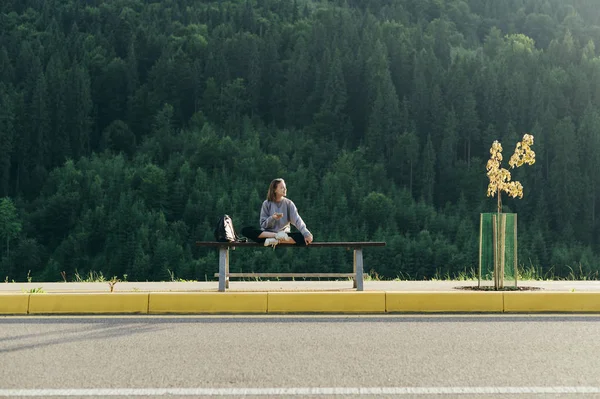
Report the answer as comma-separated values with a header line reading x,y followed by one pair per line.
x,y
291,286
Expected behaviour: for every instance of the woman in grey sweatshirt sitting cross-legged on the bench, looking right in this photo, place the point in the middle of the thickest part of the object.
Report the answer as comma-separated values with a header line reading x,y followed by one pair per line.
x,y
276,215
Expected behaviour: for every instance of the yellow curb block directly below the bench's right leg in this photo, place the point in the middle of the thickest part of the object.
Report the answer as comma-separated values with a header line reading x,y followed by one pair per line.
x,y
326,302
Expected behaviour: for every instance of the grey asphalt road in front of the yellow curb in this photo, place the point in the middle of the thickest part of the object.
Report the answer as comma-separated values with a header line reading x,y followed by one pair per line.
x,y
394,355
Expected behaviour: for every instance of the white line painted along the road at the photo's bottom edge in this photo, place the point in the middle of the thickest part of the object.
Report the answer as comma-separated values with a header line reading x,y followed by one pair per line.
x,y
101,392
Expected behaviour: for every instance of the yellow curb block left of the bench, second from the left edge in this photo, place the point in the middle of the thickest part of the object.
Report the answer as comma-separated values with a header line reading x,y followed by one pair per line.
x,y
109,302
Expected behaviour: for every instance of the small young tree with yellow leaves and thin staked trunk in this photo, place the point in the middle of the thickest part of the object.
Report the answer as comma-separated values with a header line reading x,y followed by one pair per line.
x,y
500,180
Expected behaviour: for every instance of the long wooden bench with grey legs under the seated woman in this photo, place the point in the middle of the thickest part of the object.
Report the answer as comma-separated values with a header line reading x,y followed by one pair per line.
x,y
224,275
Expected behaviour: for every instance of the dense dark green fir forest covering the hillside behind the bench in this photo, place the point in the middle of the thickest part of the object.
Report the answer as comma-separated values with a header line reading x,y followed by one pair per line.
x,y
127,127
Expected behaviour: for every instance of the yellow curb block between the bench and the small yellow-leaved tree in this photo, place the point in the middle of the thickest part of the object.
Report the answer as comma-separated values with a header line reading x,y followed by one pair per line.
x,y
421,301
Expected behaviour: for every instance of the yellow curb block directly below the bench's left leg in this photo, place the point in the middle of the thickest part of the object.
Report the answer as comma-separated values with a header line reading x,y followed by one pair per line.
x,y
208,302
